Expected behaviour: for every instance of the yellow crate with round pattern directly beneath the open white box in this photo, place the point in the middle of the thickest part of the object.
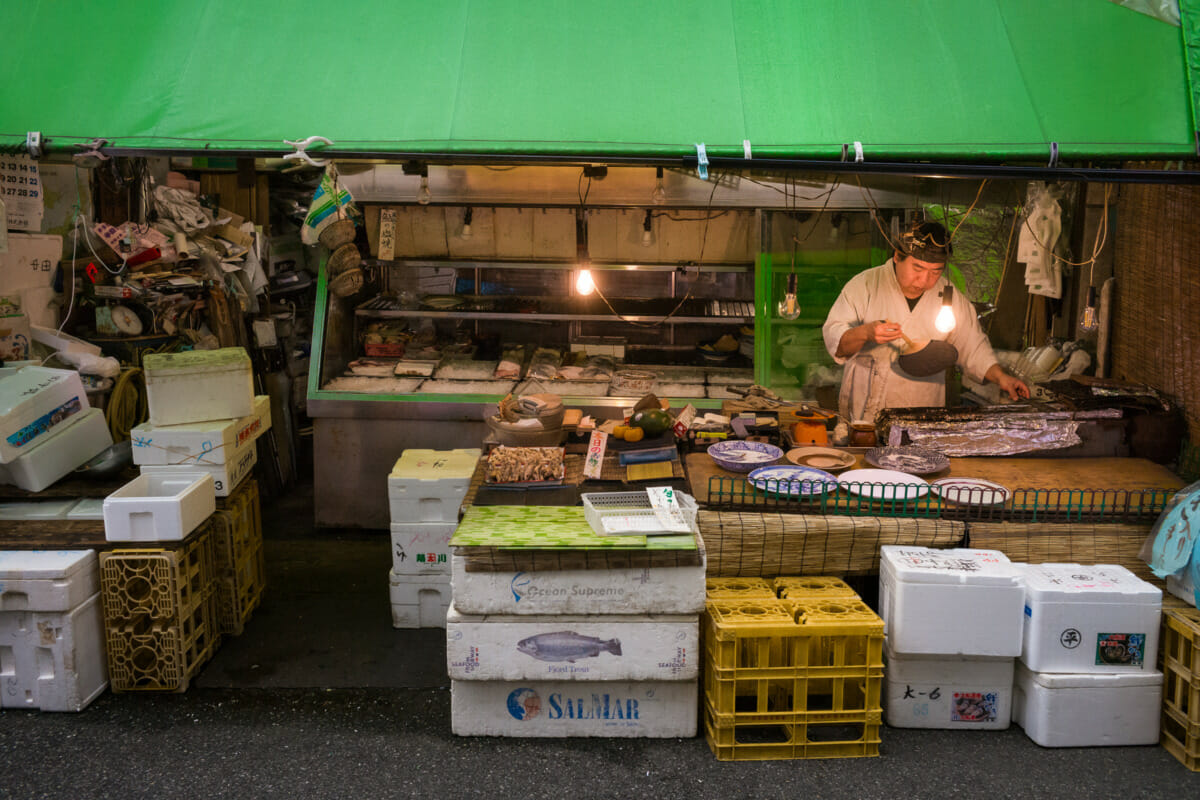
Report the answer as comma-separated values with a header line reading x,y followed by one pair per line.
x,y
165,586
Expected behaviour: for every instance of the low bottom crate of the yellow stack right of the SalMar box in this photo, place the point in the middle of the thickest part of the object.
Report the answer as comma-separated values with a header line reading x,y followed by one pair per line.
x,y
817,736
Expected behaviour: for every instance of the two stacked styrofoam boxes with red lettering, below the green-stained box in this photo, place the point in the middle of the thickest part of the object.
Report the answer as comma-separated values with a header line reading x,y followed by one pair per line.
x,y
224,448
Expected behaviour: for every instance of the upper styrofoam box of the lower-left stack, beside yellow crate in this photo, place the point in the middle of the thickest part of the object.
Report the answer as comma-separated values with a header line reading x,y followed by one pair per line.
x,y
47,581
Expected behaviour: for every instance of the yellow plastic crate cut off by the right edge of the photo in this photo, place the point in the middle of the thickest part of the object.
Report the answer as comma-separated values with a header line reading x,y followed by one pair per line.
x,y
1181,685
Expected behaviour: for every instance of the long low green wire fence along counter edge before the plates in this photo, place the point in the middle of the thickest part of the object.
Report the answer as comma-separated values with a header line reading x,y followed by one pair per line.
x,y
869,500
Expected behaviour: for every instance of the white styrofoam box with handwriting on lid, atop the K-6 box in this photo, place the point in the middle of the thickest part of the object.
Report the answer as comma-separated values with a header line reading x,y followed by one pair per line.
x,y
951,603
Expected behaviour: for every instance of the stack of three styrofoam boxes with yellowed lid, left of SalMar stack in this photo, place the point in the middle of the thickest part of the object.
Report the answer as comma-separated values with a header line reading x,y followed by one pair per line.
x,y
425,491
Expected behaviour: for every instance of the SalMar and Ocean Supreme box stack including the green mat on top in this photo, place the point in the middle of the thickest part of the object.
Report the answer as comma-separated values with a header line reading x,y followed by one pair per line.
x,y
571,651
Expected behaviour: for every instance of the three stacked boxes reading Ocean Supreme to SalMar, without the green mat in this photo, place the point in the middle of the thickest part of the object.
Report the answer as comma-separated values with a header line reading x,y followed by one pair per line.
x,y
575,653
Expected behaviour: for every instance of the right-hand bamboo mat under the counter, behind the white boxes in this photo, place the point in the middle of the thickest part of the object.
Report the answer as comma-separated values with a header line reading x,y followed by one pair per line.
x,y
1067,544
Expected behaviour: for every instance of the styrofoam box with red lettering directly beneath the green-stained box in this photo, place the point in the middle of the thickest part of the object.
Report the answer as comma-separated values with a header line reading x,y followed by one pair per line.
x,y
209,442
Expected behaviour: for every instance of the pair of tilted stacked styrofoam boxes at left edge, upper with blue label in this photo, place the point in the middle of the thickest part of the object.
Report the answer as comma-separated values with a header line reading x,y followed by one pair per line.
x,y
47,428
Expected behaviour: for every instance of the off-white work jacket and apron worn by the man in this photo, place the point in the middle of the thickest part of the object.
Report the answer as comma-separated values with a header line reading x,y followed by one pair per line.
x,y
873,381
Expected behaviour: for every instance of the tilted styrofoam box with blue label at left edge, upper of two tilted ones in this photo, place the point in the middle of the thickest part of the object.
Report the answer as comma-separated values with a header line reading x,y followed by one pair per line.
x,y
35,402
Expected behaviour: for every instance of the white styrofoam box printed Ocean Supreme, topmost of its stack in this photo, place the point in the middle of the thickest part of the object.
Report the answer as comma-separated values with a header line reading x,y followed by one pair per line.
x,y
650,591
